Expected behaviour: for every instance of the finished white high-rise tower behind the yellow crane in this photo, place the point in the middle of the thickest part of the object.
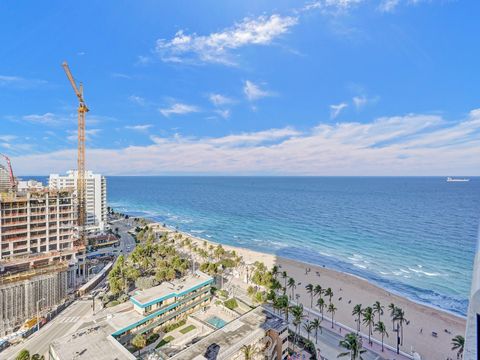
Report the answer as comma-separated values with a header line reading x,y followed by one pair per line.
x,y
96,196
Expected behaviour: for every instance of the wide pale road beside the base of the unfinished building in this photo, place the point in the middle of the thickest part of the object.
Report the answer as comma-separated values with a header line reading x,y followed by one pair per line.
x,y
65,323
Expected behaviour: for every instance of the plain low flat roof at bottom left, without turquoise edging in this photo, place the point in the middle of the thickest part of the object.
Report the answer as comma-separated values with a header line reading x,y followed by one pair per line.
x,y
92,342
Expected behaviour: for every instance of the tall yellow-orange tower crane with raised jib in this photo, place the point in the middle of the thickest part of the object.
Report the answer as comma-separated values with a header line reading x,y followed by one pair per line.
x,y
81,183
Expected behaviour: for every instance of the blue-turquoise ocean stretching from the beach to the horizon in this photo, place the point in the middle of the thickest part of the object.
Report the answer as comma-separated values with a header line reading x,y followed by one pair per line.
x,y
414,236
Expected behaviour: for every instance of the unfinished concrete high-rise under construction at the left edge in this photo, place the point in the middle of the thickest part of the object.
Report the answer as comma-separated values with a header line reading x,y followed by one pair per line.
x,y
40,254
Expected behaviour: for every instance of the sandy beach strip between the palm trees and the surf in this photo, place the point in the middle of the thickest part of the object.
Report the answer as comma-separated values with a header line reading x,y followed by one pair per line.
x,y
350,290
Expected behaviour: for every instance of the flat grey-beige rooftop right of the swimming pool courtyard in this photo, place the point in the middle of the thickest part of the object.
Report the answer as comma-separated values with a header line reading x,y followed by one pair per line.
x,y
225,342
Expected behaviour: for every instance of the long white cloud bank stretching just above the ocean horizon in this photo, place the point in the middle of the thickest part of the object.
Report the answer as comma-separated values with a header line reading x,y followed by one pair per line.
x,y
413,144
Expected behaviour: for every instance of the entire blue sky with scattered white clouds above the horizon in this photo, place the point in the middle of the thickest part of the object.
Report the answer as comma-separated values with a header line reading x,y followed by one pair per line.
x,y
251,87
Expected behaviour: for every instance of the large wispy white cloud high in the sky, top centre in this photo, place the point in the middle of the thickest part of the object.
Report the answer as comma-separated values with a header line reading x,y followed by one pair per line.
x,y
217,47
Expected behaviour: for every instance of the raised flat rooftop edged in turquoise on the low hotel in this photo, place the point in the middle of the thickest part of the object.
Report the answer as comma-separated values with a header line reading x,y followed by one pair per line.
x,y
168,289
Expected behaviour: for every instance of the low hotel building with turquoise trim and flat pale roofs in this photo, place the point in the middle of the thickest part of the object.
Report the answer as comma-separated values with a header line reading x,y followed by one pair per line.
x,y
147,310
